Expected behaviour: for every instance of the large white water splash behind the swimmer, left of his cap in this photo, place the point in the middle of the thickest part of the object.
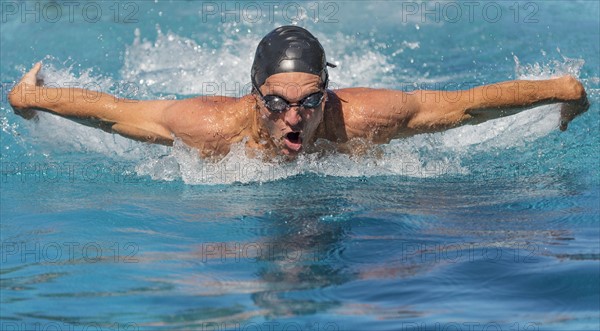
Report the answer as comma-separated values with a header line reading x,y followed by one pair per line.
x,y
174,64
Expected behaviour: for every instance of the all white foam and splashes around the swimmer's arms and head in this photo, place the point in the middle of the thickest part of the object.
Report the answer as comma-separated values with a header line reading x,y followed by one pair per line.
x,y
173,64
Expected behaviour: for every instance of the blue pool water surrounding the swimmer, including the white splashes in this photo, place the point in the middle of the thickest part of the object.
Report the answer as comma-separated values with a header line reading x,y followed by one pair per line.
x,y
487,227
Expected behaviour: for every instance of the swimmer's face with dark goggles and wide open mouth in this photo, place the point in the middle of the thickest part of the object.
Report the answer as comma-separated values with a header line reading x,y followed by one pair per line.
x,y
295,125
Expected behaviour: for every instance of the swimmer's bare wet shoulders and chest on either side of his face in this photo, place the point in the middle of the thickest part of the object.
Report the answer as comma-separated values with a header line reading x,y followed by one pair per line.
x,y
213,124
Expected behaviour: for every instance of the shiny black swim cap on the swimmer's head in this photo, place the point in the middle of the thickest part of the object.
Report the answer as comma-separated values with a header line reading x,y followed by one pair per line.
x,y
289,49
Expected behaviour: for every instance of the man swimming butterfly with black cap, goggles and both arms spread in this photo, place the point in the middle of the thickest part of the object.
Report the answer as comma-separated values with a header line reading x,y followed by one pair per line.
x,y
290,106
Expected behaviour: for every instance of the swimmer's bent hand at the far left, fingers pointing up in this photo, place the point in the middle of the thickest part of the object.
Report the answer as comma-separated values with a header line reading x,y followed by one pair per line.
x,y
23,96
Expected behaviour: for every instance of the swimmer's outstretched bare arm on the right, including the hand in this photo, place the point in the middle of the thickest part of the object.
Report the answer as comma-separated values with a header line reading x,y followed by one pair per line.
x,y
439,110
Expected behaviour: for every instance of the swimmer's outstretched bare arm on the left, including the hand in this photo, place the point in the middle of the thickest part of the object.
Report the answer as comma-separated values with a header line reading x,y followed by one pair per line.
x,y
140,120
